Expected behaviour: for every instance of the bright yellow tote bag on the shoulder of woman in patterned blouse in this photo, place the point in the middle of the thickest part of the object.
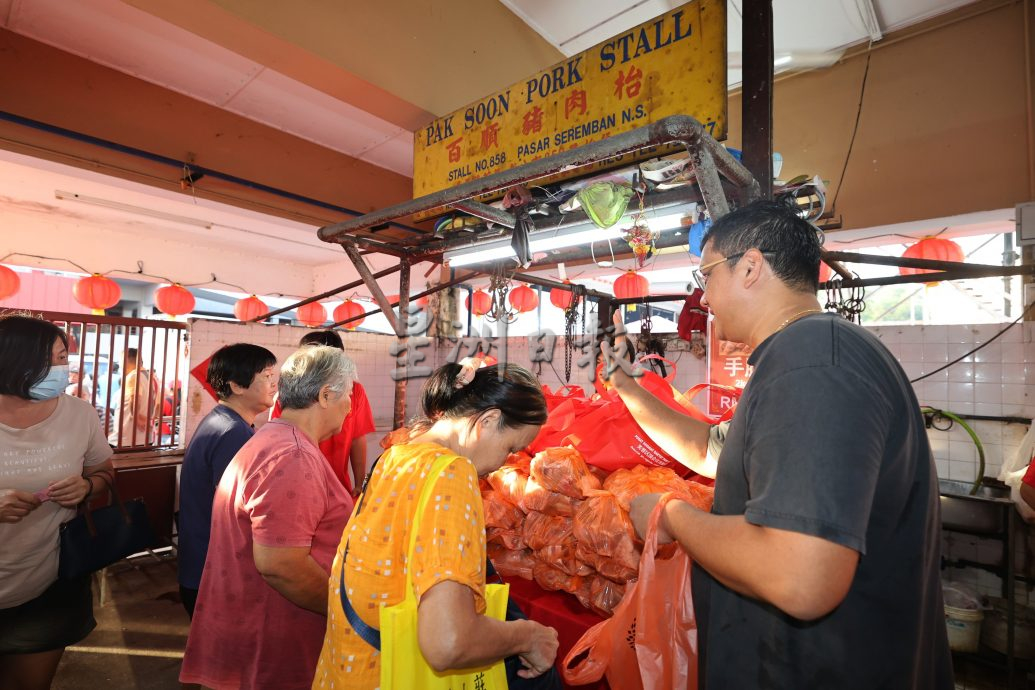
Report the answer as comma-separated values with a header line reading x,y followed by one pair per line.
x,y
403,666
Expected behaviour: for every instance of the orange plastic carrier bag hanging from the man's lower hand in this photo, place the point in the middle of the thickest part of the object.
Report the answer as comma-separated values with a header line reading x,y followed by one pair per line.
x,y
662,651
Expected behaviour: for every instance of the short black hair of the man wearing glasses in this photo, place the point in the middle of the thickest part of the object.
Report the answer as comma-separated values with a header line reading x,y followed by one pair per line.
x,y
790,244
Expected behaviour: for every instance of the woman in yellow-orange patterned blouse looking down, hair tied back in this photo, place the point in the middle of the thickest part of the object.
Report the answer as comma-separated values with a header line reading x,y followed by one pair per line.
x,y
480,417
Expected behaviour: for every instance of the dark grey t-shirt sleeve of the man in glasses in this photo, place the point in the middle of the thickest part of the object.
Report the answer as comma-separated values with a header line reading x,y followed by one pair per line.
x,y
816,440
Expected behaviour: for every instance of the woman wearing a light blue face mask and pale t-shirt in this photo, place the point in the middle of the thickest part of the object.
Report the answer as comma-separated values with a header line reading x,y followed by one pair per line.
x,y
53,457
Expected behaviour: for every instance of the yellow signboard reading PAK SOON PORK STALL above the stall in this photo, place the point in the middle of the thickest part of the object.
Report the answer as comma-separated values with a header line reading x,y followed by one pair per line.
x,y
672,66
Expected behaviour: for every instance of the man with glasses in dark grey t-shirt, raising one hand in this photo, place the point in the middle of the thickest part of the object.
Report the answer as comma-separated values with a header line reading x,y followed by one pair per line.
x,y
819,564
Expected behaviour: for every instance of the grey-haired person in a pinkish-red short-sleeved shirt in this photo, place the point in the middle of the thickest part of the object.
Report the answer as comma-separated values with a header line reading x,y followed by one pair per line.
x,y
277,521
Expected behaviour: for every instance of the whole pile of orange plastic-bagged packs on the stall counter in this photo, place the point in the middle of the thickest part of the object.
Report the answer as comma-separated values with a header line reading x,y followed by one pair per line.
x,y
555,520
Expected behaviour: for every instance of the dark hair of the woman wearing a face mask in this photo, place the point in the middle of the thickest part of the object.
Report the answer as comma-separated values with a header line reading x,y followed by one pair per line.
x,y
26,349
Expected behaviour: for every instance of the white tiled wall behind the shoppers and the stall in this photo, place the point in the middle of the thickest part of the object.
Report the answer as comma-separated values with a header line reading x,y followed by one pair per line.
x,y
999,380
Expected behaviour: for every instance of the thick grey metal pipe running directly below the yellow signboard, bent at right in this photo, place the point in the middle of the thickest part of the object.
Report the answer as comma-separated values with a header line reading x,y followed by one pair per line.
x,y
674,129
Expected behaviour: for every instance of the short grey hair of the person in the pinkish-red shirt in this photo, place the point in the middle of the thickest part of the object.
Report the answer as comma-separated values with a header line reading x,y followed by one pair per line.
x,y
309,371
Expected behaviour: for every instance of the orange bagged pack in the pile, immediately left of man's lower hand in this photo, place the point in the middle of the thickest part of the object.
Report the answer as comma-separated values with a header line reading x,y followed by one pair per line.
x,y
604,527
